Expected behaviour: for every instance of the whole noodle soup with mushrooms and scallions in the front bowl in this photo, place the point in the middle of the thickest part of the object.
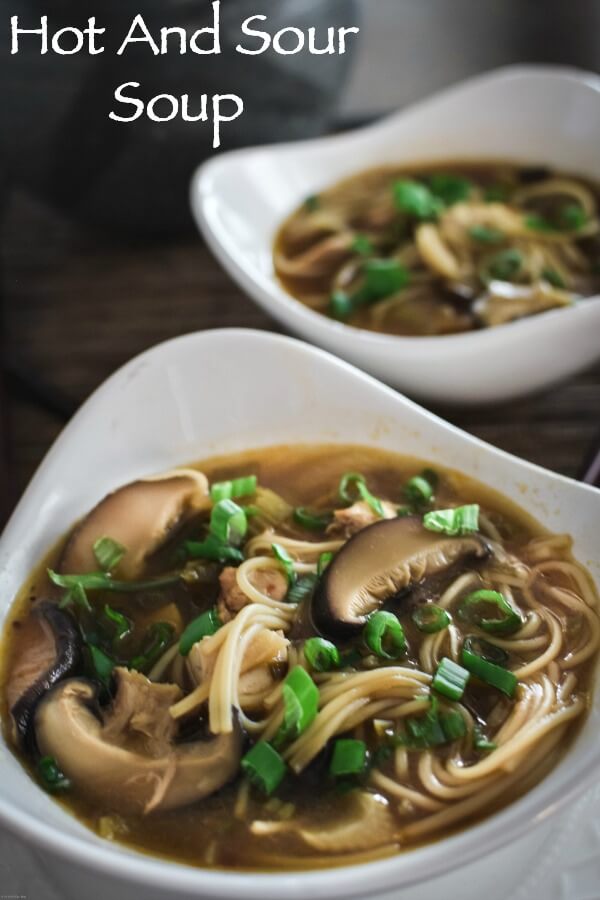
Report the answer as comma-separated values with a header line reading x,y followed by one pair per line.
x,y
351,580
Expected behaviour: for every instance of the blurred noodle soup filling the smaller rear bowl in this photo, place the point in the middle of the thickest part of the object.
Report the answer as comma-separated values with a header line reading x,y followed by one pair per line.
x,y
443,249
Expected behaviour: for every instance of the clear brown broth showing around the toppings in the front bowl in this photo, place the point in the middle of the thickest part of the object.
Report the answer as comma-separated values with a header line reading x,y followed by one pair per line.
x,y
208,834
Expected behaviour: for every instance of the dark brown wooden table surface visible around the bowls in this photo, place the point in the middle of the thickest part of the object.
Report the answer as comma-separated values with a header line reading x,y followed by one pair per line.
x,y
77,306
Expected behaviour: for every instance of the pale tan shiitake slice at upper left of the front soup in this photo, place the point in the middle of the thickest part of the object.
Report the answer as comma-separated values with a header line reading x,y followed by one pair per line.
x,y
140,516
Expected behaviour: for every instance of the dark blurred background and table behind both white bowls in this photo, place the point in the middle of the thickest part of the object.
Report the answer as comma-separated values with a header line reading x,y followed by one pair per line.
x,y
98,255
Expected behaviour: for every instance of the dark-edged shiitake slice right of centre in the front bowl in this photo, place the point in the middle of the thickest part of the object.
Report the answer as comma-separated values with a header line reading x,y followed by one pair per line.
x,y
379,562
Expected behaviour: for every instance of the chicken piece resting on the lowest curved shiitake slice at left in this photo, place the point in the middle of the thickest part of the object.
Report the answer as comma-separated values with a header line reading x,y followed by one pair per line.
x,y
140,714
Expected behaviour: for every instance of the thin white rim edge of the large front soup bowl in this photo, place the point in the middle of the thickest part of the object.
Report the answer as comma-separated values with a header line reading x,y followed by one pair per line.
x,y
401,870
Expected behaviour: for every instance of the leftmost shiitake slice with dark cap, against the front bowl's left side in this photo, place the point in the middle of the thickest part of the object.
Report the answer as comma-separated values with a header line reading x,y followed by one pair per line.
x,y
52,652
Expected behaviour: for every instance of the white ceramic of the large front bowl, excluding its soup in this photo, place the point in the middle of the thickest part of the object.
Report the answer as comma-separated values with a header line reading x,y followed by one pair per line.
x,y
224,391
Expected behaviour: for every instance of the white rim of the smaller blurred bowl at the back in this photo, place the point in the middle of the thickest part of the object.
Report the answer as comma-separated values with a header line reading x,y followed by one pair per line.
x,y
266,289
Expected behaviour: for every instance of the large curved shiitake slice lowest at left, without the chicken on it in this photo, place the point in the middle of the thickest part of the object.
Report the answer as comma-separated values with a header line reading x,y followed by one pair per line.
x,y
122,779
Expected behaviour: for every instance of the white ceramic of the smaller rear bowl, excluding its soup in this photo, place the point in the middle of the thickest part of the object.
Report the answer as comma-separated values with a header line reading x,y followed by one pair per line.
x,y
528,114
